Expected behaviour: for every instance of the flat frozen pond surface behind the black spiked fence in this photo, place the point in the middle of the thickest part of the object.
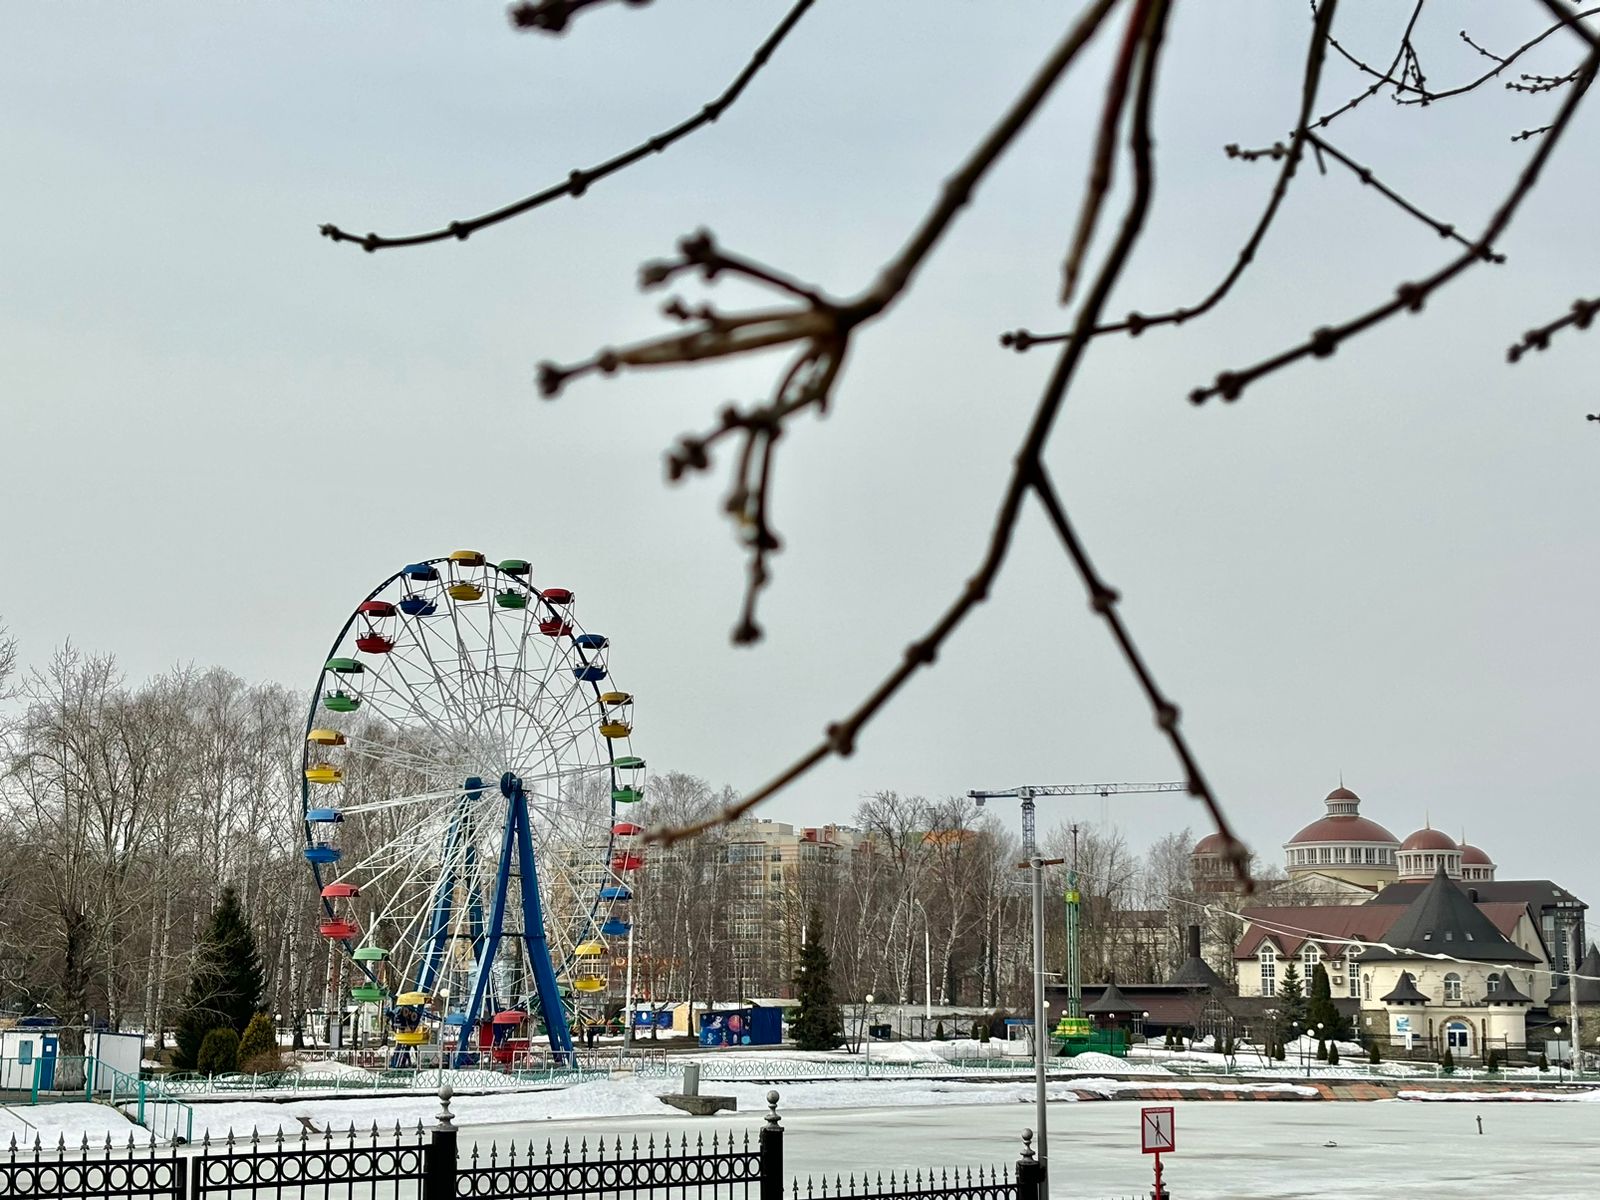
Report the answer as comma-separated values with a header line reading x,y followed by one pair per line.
x,y
1228,1151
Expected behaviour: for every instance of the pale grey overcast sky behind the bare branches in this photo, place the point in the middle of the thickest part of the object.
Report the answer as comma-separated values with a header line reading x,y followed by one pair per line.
x,y
222,431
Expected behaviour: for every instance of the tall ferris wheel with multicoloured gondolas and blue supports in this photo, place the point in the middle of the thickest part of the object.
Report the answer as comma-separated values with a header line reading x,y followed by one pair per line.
x,y
468,788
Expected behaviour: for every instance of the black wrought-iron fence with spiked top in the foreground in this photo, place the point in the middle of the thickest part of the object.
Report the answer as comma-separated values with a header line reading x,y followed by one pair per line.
x,y
426,1166
